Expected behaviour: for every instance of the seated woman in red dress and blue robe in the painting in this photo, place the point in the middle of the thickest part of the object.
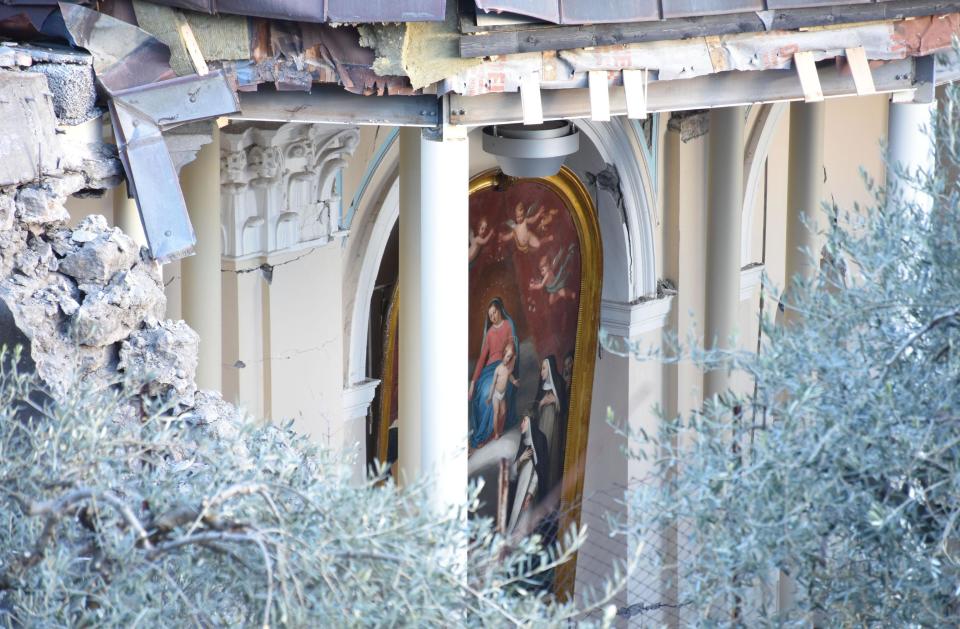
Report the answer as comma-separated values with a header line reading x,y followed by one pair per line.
x,y
498,332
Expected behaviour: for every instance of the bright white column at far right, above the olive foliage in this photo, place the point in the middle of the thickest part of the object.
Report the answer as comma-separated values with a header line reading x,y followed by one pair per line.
x,y
910,147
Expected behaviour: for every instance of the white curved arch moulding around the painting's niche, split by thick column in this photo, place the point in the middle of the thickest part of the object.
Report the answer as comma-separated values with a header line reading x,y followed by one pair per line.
x,y
627,226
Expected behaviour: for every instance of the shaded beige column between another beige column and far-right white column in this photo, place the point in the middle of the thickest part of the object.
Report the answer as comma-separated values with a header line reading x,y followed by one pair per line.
x,y
804,191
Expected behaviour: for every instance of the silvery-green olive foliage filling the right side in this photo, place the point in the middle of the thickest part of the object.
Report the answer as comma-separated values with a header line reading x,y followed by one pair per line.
x,y
842,468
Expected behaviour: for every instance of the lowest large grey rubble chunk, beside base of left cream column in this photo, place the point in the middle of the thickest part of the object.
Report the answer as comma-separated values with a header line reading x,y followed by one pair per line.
x,y
163,357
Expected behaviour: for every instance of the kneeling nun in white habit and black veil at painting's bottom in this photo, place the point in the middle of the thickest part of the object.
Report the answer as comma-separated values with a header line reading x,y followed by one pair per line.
x,y
529,469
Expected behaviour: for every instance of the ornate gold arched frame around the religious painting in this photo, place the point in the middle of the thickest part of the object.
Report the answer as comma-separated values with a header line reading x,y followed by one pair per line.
x,y
583,212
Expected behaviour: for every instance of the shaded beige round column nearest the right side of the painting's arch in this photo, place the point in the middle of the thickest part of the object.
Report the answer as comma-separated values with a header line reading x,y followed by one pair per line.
x,y
724,202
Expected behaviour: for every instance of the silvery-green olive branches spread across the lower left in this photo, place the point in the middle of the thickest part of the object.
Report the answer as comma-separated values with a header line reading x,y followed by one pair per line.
x,y
166,521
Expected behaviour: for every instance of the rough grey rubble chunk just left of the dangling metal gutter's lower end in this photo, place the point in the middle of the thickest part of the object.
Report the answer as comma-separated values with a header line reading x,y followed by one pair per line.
x,y
100,252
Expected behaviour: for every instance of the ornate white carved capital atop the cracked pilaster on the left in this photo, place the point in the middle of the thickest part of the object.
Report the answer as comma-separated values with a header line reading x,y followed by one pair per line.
x,y
279,187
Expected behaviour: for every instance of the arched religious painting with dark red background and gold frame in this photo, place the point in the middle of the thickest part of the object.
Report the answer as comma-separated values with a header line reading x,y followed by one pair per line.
x,y
535,275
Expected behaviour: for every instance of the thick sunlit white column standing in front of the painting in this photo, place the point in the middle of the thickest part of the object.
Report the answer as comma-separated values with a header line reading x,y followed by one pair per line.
x,y
434,178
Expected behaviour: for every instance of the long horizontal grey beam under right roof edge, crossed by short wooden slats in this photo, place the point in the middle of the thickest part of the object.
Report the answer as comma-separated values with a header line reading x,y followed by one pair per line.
x,y
716,90
